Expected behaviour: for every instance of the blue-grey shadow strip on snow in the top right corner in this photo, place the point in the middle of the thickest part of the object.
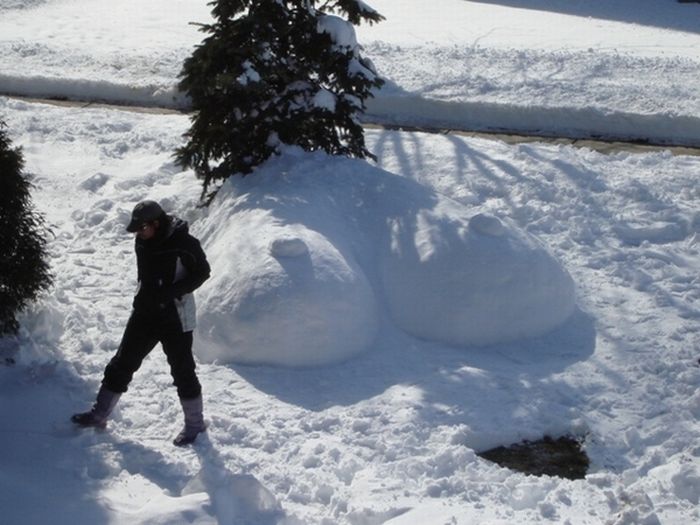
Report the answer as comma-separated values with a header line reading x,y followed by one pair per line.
x,y
644,12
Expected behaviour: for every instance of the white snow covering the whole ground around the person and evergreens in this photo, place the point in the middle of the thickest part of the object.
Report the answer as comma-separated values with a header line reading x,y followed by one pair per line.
x,y
357,266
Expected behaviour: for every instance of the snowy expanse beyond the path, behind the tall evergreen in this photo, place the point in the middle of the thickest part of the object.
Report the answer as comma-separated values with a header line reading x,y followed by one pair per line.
x,y
585,68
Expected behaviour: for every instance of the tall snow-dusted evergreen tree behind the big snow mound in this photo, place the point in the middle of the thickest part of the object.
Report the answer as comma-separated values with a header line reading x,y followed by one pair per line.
x,y
274,72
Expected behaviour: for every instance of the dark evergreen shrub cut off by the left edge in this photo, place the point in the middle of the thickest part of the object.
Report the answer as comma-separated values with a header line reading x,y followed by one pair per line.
x,y
24,271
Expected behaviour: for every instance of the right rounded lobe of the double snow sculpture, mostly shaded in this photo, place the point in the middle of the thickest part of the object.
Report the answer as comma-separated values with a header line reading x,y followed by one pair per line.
x,y
472,281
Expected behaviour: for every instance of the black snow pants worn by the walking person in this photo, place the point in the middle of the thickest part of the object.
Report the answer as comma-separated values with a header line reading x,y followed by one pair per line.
x,y
141,335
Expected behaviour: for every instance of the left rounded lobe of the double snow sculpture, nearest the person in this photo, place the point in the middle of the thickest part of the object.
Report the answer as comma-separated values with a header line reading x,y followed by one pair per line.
x,y
282,295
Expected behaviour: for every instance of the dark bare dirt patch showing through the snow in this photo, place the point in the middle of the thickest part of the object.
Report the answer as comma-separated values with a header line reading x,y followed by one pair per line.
x,y
562,457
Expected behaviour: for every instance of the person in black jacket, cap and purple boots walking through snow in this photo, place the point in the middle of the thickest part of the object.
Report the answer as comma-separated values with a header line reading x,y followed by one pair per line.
x,y
171,265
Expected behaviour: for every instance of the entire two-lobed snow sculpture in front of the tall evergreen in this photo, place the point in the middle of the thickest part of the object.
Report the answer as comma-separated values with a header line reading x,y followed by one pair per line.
x,y
305,253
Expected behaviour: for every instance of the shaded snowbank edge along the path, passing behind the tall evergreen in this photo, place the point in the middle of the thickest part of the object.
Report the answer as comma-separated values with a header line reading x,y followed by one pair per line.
x,y
410,110
